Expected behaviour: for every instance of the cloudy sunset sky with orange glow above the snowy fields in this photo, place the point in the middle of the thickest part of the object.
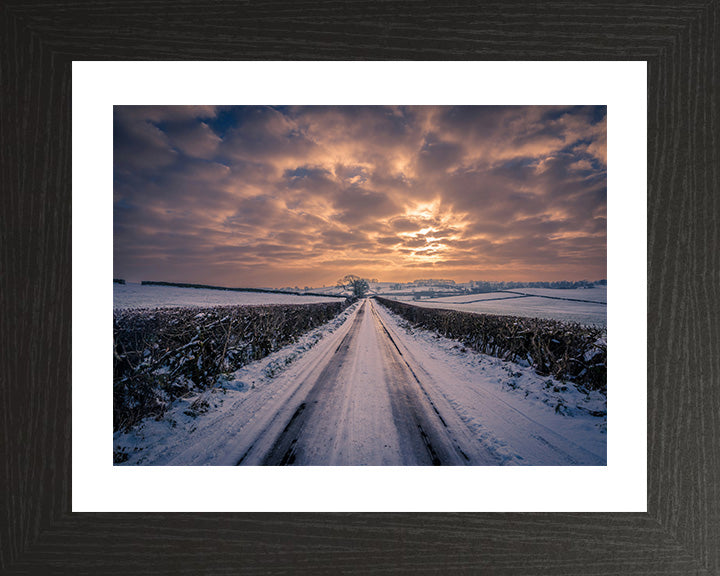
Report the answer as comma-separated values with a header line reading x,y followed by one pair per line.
x,y
284,196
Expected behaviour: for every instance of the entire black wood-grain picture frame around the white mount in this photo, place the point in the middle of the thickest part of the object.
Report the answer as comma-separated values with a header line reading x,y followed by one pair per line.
x,y
681,532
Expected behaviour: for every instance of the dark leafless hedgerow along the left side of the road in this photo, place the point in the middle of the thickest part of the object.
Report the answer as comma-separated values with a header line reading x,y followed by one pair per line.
x,y
163,354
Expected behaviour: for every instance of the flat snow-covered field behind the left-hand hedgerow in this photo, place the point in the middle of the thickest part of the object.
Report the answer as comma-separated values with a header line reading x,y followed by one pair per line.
x,y
148,296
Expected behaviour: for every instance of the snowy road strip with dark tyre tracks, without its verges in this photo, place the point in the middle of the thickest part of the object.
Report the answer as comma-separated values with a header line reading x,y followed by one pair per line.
x,y
366,406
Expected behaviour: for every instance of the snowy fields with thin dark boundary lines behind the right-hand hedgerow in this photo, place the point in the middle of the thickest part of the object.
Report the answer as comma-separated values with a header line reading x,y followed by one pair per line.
x,y
505,303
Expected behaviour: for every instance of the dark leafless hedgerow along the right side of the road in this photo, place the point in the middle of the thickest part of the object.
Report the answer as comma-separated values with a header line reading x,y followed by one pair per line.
x,y
571,352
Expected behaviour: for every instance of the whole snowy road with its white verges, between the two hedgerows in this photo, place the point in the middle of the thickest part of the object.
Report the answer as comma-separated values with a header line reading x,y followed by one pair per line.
x,y
371,391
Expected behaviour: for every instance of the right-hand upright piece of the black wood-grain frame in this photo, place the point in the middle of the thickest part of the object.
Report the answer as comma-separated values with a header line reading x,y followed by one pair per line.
x,y
683,309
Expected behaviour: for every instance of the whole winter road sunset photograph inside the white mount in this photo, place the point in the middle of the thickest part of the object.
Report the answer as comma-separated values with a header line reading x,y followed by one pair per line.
x,y
375,285
